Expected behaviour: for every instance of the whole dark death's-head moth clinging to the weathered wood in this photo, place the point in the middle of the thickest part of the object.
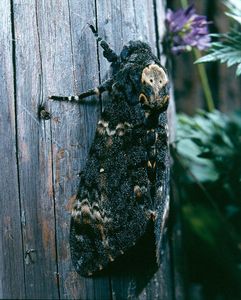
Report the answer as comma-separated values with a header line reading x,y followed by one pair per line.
x,y
122,188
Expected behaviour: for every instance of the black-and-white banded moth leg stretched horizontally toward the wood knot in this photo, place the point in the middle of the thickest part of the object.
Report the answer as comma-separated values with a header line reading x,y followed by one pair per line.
x,y
105,86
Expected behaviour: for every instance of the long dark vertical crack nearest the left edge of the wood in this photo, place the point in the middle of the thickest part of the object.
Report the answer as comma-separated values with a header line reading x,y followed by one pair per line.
x,y
16,135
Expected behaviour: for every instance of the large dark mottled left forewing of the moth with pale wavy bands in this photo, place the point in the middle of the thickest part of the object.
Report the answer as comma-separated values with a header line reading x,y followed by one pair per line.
x,y
112,210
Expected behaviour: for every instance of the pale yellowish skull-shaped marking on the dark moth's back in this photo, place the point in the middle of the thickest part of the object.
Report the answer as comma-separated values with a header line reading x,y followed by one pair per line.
x,y
154,88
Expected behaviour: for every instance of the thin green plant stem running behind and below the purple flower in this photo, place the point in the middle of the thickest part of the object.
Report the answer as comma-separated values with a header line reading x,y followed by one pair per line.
x,y
202,73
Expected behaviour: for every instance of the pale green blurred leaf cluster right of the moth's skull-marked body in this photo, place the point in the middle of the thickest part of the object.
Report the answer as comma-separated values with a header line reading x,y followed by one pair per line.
x,y
208,143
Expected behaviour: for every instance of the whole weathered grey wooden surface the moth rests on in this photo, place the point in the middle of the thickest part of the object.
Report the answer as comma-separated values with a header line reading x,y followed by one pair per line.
x,y
47,48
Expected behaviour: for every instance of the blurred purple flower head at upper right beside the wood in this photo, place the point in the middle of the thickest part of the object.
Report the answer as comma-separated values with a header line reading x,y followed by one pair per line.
x,y
186,30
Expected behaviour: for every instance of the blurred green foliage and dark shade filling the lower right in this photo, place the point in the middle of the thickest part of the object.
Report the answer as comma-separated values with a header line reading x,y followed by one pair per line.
x,y
207,156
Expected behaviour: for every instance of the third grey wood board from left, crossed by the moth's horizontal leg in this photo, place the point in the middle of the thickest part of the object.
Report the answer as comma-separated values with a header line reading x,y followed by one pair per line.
x,y
57,58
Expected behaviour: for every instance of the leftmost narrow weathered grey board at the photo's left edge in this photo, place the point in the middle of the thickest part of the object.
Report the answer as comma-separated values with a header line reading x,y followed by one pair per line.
x,y
11,252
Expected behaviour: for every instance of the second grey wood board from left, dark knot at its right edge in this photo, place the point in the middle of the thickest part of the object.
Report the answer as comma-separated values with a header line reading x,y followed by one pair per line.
x,y
34,154
